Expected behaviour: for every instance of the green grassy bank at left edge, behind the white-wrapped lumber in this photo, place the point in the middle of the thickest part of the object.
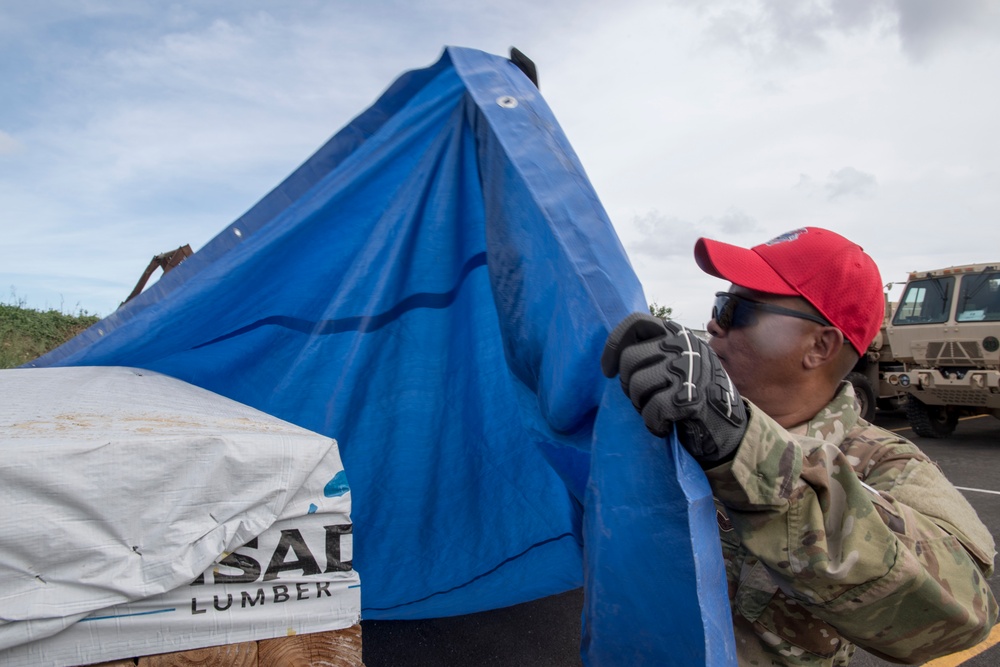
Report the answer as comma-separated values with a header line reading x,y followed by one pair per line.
x,y
26,334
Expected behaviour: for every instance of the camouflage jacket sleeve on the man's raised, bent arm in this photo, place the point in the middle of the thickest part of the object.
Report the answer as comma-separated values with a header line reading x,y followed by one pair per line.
x,y
897,563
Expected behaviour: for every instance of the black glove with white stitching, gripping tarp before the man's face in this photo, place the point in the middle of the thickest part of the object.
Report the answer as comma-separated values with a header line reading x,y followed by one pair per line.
x,y
674,377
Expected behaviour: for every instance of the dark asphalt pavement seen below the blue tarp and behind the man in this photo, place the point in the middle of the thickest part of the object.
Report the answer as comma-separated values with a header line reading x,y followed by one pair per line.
x,y
546,632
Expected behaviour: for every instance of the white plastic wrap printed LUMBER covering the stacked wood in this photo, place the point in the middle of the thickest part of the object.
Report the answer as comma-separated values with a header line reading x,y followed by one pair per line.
x,y
141,514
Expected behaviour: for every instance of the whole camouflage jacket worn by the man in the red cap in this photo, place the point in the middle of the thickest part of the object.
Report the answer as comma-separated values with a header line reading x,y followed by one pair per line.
x,y
838,533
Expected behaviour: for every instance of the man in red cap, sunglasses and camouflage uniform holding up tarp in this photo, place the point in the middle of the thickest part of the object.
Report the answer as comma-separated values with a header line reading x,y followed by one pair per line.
x,y
835,532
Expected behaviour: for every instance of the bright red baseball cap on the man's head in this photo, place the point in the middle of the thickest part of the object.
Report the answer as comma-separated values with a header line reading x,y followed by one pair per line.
x,y
833,274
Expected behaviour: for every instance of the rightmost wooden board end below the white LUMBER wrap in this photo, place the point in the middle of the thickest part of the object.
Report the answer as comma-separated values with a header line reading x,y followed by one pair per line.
x,y
336,648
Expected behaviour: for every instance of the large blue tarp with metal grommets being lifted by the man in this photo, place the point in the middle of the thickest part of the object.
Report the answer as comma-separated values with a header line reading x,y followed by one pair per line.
x,y
433,289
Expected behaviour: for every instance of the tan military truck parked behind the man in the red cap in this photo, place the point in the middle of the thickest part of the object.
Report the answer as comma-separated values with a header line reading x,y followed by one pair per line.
x,y
946,333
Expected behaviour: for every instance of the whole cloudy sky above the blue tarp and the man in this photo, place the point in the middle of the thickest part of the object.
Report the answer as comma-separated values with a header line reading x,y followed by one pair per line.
x,y
130,128
